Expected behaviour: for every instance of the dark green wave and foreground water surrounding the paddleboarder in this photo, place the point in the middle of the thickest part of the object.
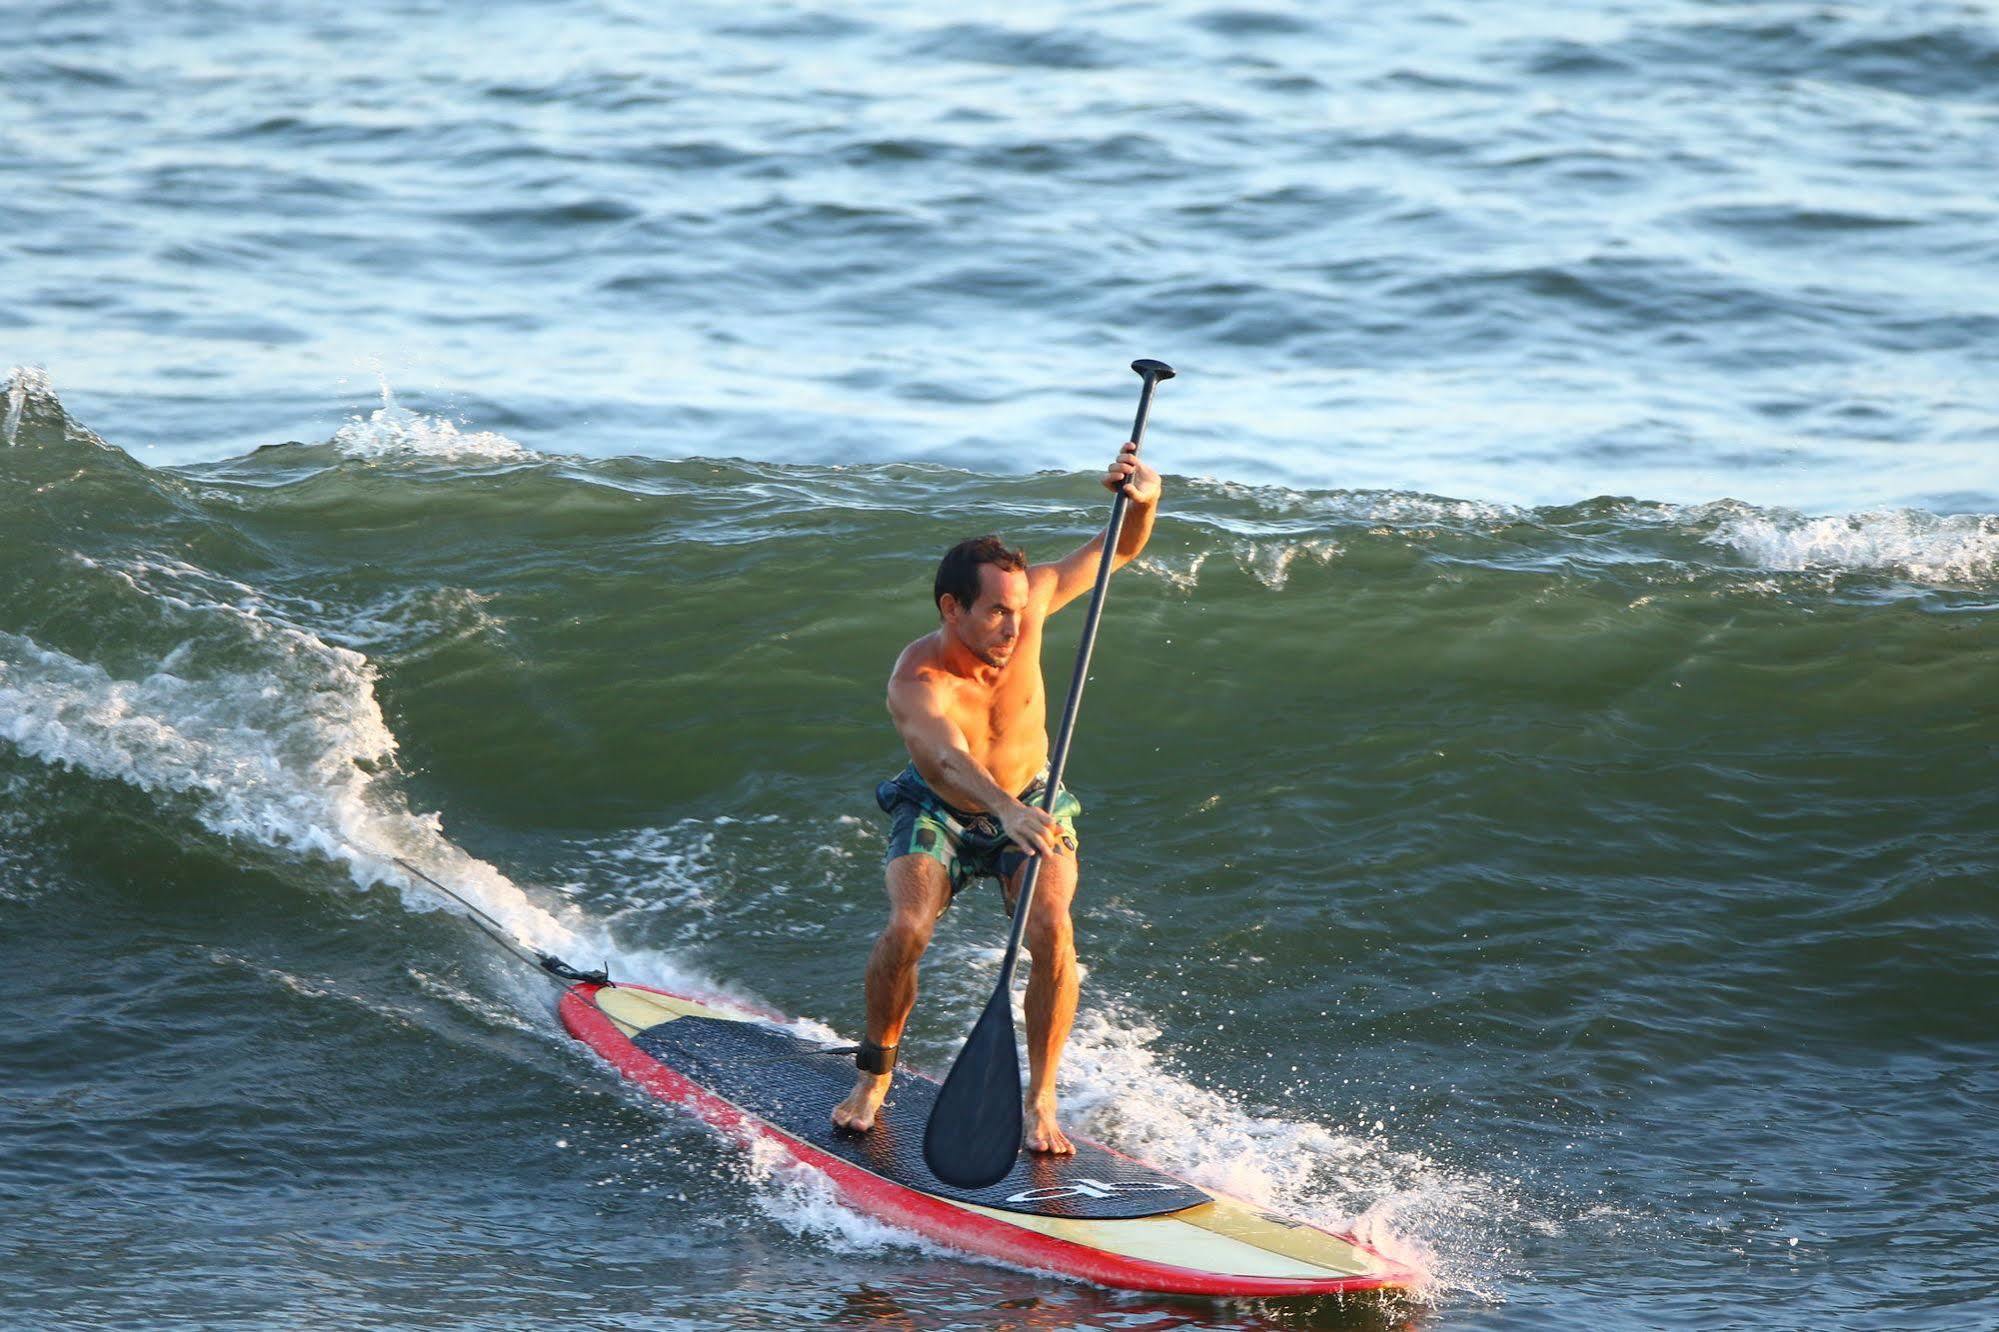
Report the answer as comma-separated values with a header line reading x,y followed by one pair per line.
x,y
1546,891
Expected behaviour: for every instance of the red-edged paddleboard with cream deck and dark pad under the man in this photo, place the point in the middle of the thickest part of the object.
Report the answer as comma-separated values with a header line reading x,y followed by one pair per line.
x,y
1096,1215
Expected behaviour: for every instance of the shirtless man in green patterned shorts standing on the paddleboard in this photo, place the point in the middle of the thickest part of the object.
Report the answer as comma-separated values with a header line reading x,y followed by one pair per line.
x,y
973,711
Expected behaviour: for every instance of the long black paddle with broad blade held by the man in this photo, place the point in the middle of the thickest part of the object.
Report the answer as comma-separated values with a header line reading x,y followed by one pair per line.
x,y
975,1127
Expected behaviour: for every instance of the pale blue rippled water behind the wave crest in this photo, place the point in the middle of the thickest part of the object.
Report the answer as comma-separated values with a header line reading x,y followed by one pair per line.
x,y
1526,253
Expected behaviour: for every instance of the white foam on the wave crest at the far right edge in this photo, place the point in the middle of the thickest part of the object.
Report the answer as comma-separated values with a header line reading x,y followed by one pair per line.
x,y
1922,547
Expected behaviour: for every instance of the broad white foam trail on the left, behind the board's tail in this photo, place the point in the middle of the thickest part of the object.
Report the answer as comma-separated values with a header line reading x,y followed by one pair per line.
x,y
275,739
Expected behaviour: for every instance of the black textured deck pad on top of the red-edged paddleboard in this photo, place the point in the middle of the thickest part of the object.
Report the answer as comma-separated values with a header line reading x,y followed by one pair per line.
x,y
791,1085
